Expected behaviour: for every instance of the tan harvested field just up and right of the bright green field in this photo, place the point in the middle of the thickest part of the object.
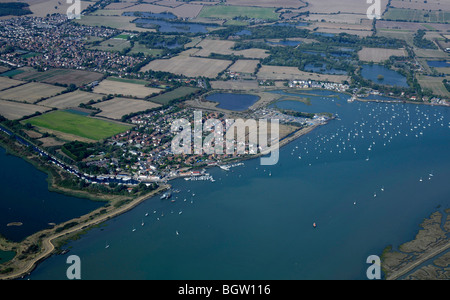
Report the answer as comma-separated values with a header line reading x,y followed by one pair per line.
x,y
118,107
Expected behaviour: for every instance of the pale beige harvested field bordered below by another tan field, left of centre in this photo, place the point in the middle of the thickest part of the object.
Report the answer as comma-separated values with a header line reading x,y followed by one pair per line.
x,y
124,88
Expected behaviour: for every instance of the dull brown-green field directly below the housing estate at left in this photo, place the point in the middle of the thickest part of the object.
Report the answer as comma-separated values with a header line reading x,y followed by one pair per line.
x,y
61,76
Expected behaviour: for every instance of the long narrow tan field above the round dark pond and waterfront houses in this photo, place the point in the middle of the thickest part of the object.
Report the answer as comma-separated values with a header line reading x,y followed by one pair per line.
x,y
293,73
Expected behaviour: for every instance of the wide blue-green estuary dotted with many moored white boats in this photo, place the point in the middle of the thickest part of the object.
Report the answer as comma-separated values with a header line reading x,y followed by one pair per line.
x,y
357,177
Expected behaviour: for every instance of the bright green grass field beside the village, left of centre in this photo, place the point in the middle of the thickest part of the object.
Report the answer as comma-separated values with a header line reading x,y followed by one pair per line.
x,y
78,125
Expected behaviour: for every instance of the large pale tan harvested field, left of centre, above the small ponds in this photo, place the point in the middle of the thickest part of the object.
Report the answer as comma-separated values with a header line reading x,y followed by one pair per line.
x,y
189,66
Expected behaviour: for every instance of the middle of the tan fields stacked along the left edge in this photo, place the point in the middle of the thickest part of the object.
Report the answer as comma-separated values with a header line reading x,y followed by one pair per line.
x,y
31,92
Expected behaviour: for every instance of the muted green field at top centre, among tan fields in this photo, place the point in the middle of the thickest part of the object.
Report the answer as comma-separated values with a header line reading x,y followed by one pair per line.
x,y
230,12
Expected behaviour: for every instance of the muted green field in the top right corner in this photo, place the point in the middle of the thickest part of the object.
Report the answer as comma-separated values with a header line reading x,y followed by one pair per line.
x,y
415,15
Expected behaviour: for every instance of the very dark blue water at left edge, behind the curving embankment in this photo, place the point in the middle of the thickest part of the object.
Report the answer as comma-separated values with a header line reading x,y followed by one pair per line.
x,y
25,198
